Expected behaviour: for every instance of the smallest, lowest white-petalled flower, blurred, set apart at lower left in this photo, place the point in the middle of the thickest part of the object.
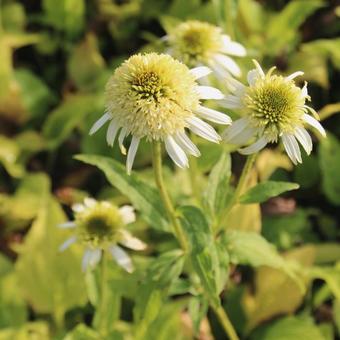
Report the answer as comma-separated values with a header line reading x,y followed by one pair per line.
x,y
99,225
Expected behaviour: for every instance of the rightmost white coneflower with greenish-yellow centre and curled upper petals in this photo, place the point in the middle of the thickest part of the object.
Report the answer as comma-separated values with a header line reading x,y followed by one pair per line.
x,y
272,107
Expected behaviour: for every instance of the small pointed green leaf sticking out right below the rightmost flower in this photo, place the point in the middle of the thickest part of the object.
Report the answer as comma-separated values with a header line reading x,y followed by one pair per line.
x,y
263,191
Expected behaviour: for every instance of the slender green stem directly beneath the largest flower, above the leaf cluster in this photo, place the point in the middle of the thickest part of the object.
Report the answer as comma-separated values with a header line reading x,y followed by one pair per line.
x,y
157,165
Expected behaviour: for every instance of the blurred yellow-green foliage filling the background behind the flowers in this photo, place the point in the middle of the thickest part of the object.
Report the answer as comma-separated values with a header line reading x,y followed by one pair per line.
x,y
55,58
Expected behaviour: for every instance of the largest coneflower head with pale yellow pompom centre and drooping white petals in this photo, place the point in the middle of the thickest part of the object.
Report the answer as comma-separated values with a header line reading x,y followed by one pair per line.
x,y
157,97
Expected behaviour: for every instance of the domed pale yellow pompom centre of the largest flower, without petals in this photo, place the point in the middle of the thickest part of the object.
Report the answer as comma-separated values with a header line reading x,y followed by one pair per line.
x,y
152,95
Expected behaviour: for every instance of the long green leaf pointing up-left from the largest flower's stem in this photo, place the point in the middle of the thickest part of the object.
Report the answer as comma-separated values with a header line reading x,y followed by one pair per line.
x,y
144,198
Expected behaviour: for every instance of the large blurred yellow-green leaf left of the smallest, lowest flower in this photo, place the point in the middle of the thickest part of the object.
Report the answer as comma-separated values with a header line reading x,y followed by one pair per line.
x,y
40,262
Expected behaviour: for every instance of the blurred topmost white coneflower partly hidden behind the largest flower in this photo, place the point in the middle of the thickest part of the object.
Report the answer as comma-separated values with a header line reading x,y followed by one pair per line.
x,y
198,43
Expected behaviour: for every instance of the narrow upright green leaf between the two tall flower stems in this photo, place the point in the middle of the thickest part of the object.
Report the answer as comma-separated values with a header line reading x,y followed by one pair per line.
x,y
215,195
